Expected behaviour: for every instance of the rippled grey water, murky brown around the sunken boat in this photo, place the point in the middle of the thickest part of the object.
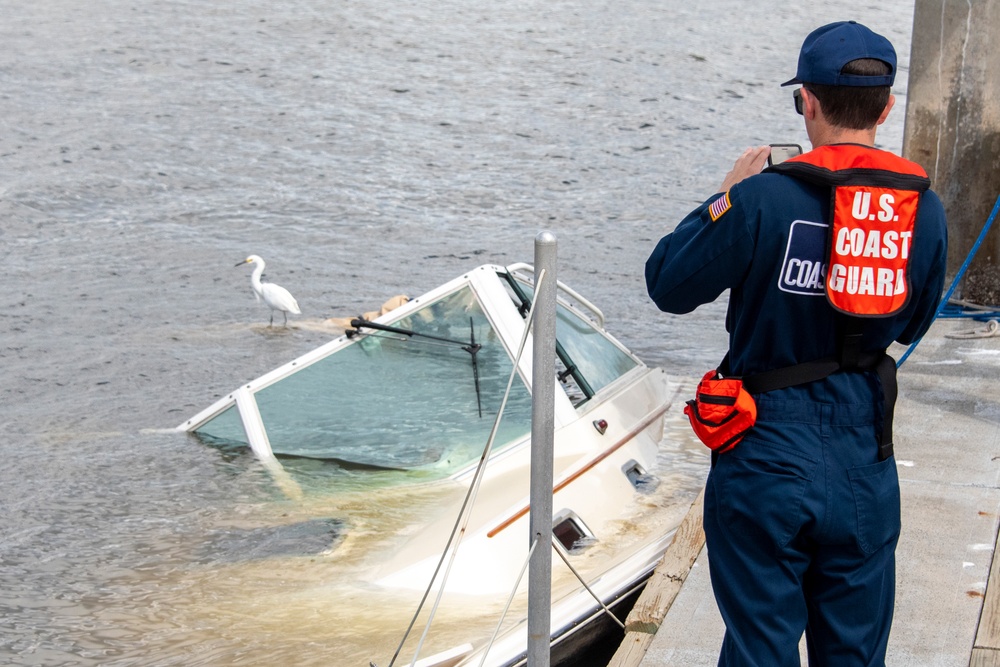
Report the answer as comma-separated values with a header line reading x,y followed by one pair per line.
x,y
365,149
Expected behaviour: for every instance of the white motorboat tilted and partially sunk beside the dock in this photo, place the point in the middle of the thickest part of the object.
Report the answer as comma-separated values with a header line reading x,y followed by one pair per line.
x,y
404,407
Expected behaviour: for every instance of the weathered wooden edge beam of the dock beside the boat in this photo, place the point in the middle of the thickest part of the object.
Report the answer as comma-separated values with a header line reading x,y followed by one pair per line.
x,y
662,588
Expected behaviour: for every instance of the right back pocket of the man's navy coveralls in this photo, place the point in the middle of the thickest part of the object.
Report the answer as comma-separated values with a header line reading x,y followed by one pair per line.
x,y
876,494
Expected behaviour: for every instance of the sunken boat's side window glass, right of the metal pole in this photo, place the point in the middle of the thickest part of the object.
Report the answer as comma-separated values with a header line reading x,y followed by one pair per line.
x,y
595,356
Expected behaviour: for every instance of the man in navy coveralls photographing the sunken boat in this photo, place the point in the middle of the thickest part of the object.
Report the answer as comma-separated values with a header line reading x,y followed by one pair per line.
x,y
802,516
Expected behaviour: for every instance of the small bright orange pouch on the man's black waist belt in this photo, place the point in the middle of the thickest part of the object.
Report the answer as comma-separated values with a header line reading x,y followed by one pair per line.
x,y
722,411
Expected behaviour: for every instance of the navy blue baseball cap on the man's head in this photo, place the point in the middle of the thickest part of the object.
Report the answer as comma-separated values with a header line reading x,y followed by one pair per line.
x,y
827,49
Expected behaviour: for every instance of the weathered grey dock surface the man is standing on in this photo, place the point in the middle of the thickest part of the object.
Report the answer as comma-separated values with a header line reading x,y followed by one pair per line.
x,y
948,586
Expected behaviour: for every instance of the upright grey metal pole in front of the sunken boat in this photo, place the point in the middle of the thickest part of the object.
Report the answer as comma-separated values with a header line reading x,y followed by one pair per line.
x,y
543,377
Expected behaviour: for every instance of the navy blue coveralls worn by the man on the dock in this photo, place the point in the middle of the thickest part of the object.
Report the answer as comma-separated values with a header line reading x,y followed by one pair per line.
x,y
801,518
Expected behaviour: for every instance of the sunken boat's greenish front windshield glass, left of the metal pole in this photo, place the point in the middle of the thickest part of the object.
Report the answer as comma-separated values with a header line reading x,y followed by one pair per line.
x,y
390,400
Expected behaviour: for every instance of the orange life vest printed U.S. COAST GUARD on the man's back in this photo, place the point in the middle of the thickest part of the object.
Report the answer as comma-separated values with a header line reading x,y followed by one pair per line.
x,y
875,195
